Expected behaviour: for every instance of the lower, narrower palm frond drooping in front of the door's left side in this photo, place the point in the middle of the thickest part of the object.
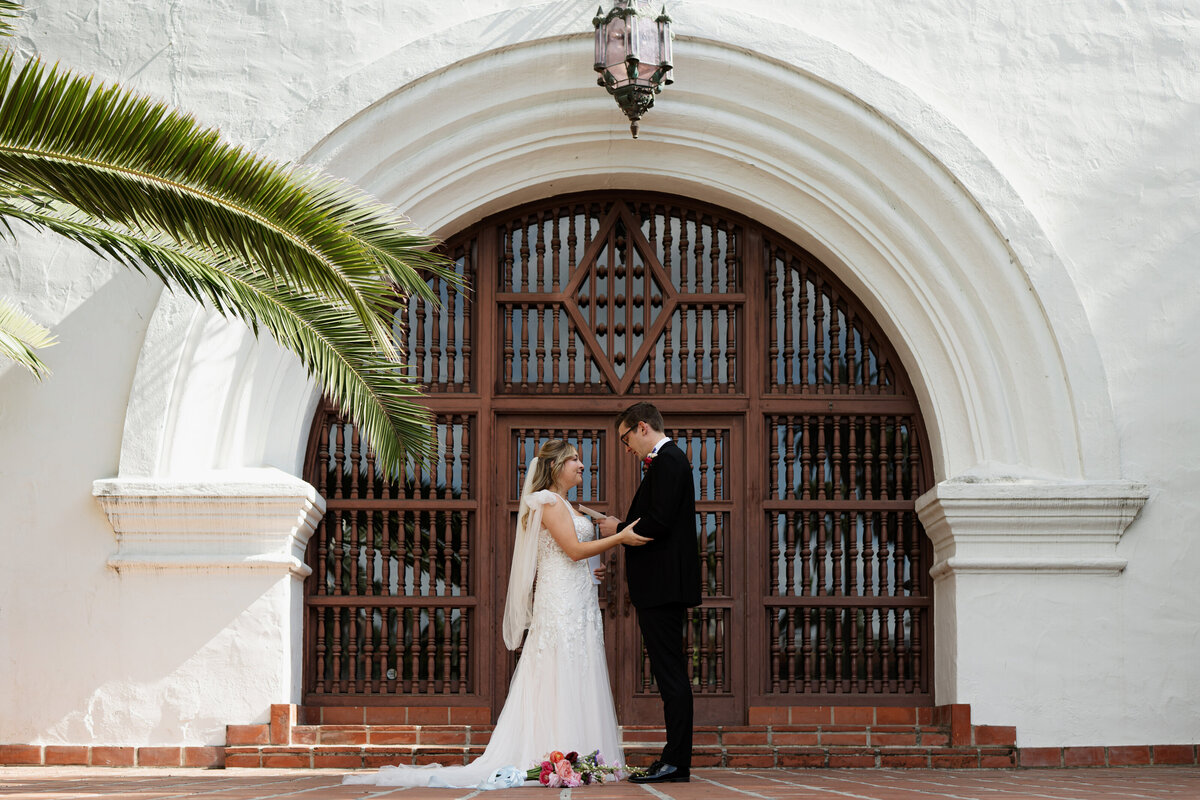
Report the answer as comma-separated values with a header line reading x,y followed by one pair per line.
x,y
365,382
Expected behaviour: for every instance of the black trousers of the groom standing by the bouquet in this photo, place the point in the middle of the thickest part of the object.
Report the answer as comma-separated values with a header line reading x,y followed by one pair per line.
x,y
663,631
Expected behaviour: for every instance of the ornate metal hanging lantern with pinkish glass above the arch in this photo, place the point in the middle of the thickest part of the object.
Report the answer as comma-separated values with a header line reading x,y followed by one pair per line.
x,y
633,56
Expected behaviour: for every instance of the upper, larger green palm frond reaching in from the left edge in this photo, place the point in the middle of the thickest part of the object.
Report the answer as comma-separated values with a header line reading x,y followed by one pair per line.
x,y
128,161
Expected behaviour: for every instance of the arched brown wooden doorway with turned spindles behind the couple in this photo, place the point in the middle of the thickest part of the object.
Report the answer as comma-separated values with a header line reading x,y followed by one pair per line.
x,y
800,422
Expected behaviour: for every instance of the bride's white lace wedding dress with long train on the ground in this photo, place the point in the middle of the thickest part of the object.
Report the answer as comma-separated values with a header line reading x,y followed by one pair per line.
x,y
560,696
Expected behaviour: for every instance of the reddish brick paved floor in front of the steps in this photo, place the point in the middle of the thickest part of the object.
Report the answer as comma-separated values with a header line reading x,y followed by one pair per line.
x,y
149,784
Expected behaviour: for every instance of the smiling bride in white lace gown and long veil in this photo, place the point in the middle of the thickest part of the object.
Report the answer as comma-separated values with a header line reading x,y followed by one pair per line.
x,y
560,696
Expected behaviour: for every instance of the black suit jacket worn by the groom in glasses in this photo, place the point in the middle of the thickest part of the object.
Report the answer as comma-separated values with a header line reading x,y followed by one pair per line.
x,y
668,569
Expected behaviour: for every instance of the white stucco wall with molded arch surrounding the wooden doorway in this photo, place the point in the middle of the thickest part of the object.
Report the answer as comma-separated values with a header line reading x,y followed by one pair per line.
x,y
1069,129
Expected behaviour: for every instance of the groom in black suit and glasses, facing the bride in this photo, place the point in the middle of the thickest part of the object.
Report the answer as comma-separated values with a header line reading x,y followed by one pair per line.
x,y
663,576
